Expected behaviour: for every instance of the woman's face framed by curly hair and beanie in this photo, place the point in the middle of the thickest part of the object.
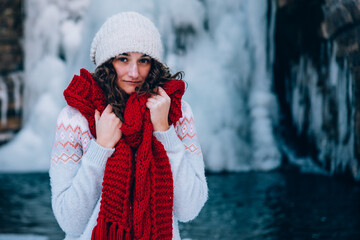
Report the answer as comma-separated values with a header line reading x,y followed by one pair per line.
x,y
132,69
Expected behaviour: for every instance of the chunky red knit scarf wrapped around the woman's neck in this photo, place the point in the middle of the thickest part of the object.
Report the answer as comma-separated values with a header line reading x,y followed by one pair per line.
x,y
137,196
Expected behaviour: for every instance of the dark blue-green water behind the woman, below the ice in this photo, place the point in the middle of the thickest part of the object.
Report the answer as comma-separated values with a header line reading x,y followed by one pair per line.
x,y
241,206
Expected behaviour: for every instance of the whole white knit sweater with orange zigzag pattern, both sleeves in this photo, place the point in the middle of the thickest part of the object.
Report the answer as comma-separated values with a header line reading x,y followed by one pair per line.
x,y
78,164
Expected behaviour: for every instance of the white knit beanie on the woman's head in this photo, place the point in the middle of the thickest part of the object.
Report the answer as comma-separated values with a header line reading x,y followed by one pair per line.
x,y
126,32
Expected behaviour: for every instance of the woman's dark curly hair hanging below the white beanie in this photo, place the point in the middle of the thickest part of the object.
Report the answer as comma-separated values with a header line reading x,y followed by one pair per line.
x,y
105,76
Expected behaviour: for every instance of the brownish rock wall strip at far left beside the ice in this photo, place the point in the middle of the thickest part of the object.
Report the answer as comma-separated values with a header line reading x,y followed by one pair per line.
x,y
11,67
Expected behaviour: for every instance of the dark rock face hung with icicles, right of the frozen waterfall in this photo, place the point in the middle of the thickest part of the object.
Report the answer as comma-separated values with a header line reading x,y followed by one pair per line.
x,y
328,84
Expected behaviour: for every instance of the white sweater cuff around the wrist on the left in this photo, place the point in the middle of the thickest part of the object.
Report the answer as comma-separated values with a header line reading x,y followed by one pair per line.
x,y
97,154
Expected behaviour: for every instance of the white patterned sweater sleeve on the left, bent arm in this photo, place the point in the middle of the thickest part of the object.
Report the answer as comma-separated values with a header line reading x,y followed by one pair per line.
x,y
76,172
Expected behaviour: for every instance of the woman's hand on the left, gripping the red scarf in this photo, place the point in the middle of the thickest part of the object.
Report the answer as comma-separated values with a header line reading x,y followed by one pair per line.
x,y
107,128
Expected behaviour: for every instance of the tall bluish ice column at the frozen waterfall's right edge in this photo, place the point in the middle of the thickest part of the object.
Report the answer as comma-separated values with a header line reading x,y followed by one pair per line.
x,y
262,101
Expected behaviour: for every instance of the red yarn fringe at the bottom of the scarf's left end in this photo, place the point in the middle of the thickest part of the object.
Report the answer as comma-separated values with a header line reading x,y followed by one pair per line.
x,y
102,232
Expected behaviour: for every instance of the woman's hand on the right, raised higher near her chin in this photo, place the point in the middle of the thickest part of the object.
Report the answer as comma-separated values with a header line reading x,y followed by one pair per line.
x,y
159,106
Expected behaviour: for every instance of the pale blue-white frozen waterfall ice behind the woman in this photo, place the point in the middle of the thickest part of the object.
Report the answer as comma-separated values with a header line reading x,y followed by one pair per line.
x,y
220,45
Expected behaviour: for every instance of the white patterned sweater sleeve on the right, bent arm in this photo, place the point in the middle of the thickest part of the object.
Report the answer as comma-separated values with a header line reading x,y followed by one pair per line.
x,y
182,146
